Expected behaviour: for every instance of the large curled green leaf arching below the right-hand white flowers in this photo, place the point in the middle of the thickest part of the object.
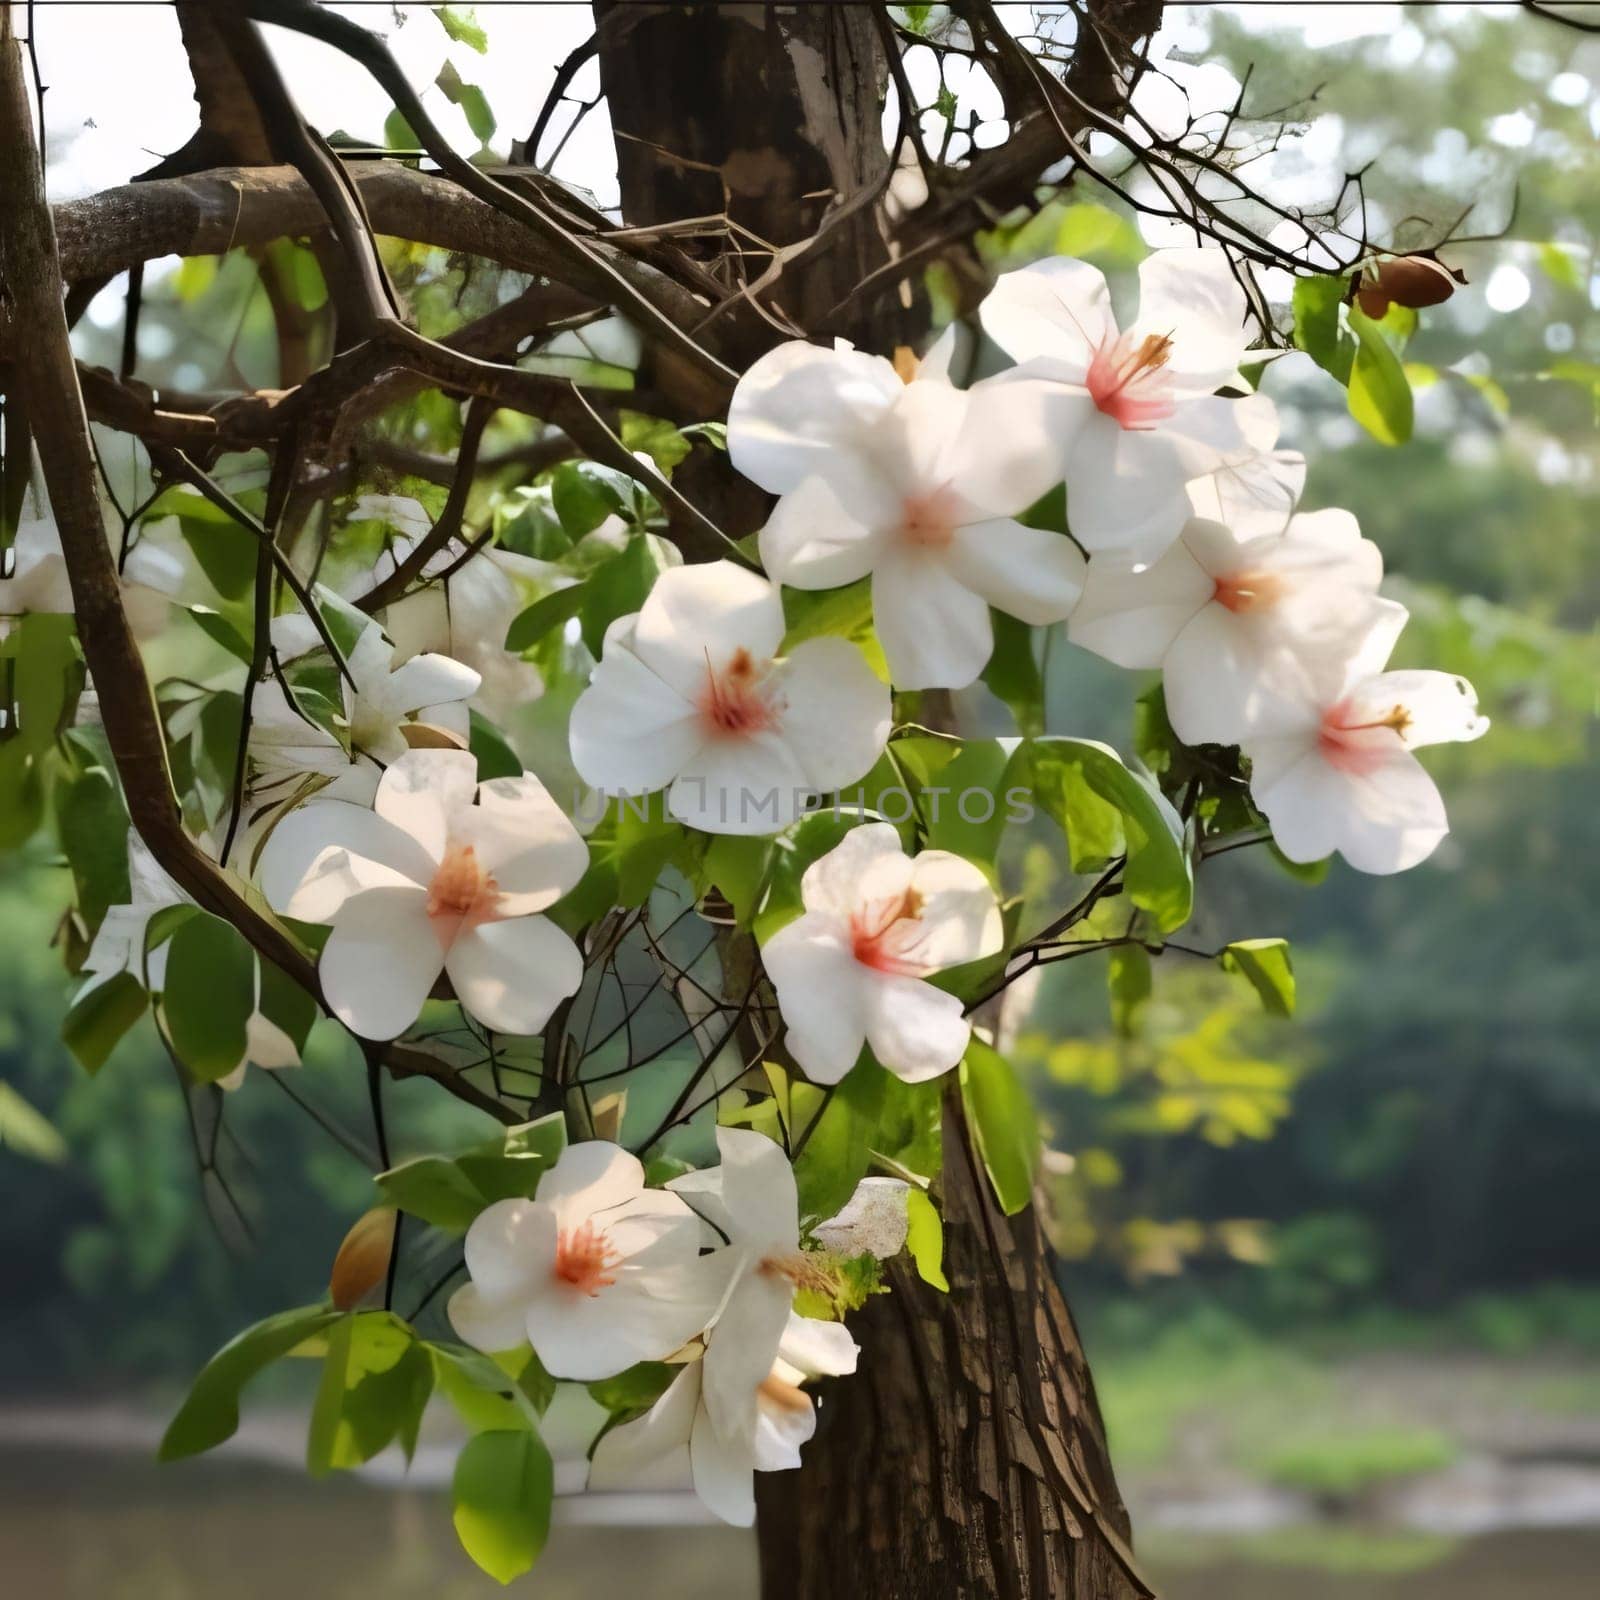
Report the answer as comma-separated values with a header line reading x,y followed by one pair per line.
x,y
1095,798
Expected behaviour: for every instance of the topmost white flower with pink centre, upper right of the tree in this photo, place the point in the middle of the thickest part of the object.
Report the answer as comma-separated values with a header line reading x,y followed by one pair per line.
x,y
1137,410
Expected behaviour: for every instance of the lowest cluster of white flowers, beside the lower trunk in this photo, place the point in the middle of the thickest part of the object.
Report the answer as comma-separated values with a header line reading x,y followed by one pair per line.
x,y
599,1273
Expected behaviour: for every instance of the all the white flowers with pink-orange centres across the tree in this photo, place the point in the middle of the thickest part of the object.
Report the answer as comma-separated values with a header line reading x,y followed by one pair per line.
x,y
1186,554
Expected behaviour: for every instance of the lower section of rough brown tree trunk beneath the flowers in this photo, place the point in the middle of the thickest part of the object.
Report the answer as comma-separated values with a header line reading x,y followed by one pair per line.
x,y
966,1458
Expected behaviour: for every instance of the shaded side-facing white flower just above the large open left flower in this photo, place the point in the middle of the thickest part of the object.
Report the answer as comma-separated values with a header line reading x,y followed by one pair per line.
x,y
428,689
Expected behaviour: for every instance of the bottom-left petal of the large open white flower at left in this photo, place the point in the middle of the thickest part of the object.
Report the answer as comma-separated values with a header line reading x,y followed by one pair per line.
x,y
380,961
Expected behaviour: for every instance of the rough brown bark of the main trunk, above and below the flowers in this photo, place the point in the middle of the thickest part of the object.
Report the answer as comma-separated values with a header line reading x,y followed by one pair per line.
x,y
967,1457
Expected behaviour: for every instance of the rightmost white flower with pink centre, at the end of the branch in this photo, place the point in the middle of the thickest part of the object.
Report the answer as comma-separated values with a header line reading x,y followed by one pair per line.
x,y
1332,766
